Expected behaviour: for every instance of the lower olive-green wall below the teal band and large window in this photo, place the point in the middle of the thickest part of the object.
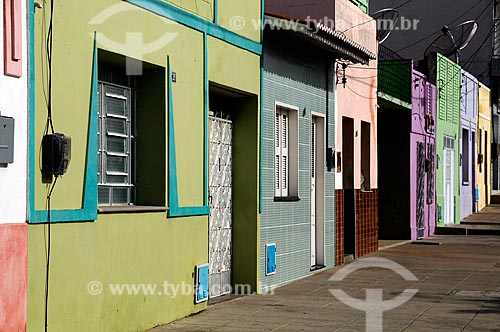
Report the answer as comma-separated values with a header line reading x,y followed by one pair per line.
x,y
116,249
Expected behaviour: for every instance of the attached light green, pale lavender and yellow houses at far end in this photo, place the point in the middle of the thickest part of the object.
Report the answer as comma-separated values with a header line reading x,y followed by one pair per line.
x,y
463,140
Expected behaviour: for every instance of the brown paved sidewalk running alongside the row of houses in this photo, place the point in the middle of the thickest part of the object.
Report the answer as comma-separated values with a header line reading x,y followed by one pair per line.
x,y
459,290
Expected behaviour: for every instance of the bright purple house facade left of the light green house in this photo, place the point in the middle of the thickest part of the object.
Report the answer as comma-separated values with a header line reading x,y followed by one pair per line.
x,y
422,154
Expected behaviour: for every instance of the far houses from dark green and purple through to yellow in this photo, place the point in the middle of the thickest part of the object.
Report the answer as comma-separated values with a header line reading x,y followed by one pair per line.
x,y
434,145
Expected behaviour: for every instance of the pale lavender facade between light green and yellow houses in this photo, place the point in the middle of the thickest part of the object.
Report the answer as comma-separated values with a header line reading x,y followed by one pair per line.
x,y
468,121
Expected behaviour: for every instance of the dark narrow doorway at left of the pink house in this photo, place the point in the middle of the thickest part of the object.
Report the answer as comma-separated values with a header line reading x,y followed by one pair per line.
x,y
348,185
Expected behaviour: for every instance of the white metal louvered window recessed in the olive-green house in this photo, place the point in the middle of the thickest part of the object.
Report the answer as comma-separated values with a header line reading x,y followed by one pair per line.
x,y
116,139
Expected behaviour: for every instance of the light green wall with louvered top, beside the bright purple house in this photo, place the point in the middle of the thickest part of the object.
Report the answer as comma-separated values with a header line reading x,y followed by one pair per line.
x,y
448,77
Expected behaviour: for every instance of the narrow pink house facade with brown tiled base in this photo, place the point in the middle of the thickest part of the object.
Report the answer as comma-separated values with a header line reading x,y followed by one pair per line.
x,y
356,180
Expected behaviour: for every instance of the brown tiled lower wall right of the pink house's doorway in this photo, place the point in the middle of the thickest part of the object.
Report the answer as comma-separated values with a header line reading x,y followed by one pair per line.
x,y
366,222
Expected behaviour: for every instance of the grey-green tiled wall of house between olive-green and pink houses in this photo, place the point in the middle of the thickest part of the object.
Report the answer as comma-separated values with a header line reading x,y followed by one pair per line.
x,y
299,81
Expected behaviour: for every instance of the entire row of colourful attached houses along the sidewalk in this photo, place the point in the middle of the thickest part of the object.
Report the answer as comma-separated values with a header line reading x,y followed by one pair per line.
x,y
197,149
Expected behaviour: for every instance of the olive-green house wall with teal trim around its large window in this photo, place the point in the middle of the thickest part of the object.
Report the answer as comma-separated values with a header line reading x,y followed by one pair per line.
x,y
125,246
